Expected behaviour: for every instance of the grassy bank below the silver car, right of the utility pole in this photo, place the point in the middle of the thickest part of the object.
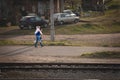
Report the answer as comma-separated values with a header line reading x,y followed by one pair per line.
x,y
87,28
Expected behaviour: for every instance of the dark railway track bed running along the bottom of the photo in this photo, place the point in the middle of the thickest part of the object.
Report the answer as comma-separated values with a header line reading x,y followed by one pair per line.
x,y
63,71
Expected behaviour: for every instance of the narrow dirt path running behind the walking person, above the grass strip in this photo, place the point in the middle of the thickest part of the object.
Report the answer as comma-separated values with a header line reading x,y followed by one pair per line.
x,y
82,37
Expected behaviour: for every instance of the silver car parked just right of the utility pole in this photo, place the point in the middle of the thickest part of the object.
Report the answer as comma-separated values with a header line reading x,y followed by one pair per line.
x,y
61,18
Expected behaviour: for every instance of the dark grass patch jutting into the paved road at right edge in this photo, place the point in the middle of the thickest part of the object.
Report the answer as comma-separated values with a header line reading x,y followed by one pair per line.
x,y
108,54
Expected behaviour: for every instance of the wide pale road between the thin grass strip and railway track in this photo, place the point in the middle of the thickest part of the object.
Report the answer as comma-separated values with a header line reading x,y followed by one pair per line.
x,y
53,54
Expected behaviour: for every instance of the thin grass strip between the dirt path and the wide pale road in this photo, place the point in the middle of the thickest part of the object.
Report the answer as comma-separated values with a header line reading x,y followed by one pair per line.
x,y
59,43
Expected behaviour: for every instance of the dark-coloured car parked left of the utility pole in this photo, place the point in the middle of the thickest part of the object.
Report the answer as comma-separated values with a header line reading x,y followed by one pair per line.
x,y
31,22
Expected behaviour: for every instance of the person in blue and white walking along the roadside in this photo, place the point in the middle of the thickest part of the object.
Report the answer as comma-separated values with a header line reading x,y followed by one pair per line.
x,y
38,34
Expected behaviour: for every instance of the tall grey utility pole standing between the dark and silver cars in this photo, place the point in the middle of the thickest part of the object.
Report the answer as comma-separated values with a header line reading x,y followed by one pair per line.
x,y
52,30
